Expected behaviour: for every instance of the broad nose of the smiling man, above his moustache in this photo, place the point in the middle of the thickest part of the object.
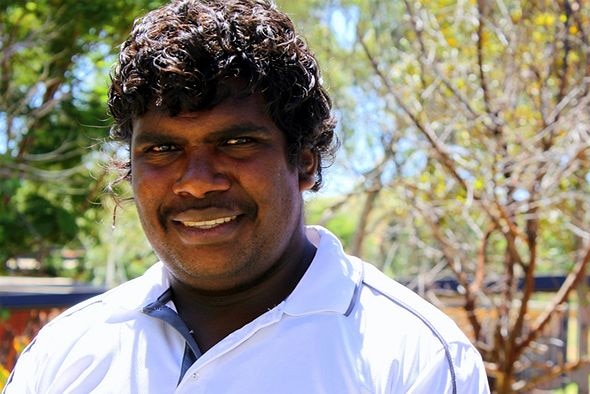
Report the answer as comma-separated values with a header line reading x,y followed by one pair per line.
x,y
202,174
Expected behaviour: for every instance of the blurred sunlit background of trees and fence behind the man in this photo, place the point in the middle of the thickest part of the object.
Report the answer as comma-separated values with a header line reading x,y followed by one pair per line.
x,y
464,170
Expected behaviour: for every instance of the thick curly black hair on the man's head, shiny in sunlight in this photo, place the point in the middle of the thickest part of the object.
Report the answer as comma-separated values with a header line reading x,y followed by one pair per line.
x,y
183,56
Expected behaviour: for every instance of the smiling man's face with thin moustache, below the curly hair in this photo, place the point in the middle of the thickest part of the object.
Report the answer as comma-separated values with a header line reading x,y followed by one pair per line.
x,y
216,196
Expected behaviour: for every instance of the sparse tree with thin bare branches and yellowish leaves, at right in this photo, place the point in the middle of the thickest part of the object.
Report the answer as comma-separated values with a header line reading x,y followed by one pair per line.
x,y
472,121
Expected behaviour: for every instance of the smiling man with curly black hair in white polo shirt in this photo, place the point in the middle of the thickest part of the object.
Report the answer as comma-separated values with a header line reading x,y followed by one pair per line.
x,y
227,123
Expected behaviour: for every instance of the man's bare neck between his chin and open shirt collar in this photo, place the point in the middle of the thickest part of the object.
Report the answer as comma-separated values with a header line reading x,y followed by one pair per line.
x,y
214,315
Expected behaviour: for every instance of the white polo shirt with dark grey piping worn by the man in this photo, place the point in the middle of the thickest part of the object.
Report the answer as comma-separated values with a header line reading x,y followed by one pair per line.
x,y
346,328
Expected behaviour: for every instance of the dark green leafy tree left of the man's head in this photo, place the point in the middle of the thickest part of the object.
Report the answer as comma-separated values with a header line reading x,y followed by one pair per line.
x,y
54,63
